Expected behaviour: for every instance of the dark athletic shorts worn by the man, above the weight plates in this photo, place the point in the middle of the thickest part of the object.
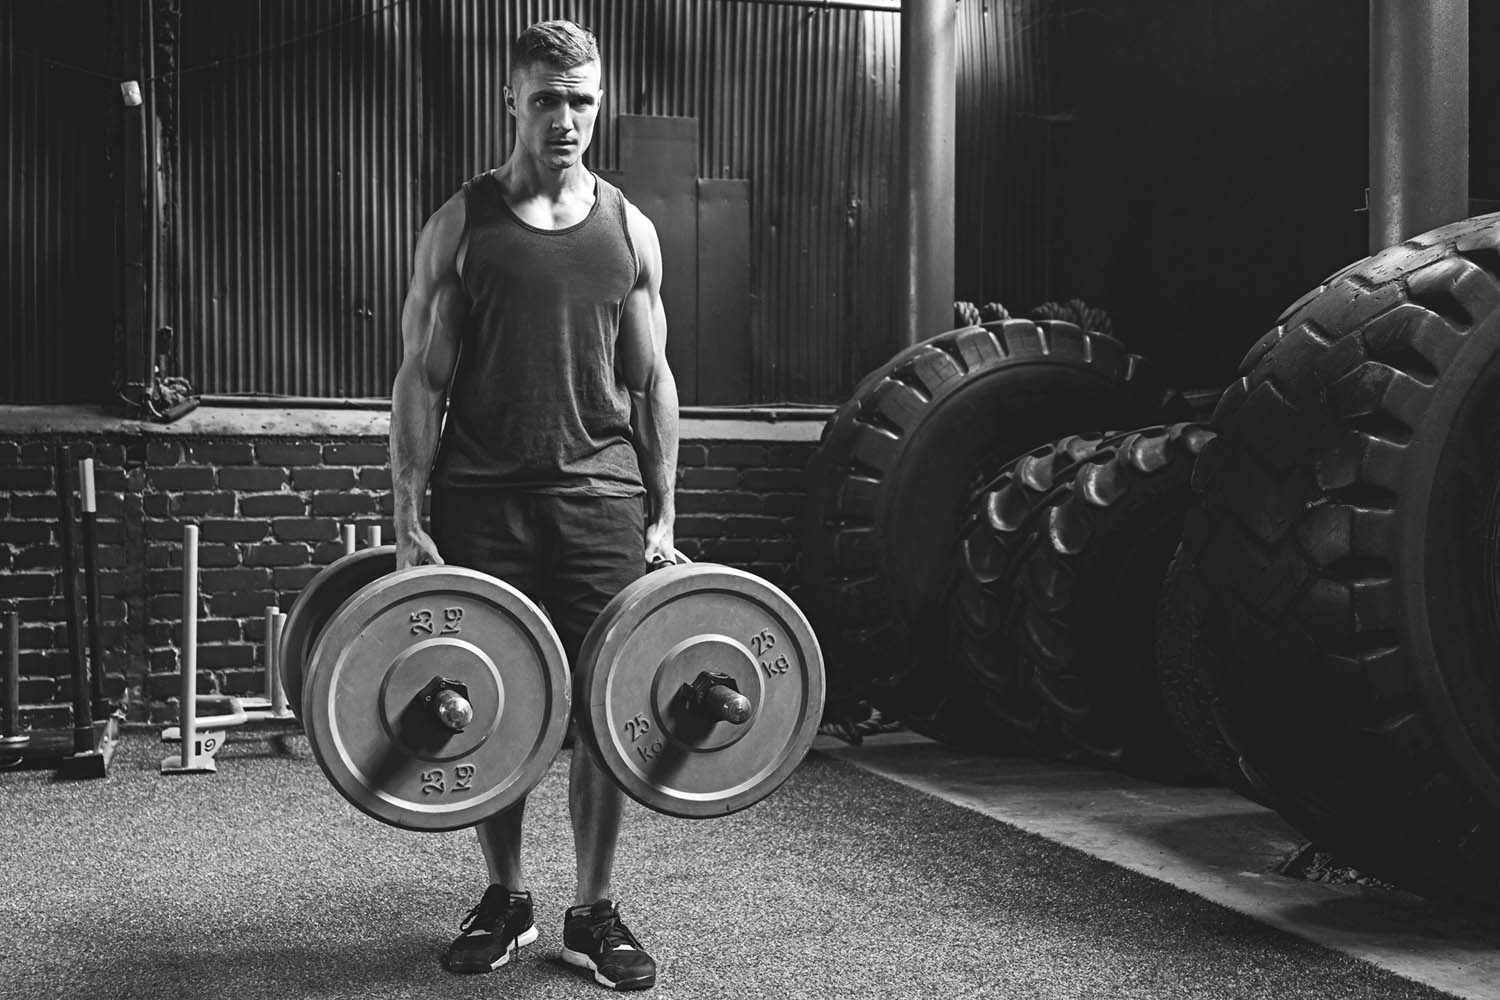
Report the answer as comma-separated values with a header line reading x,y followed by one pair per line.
x,y
568,554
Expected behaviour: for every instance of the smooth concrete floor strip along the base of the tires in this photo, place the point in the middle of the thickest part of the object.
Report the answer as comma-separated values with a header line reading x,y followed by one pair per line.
x,y
1208,842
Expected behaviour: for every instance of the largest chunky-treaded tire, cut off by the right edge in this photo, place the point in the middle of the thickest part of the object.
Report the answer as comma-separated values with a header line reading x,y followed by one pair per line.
x,y
1348,551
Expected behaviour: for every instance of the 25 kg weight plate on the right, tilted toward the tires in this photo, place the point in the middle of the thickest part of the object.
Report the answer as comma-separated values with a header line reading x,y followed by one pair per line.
x,y
662,633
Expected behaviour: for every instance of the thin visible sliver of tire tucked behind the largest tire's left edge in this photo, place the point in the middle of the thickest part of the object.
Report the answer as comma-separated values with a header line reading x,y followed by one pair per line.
x,y
1186,693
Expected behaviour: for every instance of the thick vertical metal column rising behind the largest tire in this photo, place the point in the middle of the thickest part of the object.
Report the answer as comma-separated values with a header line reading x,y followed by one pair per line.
x,y
1418,118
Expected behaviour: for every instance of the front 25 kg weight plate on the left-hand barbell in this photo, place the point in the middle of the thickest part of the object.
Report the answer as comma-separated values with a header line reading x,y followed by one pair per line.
x,y
379,738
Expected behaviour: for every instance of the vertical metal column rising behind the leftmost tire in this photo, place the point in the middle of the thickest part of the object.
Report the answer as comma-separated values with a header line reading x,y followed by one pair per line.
x,y
929,122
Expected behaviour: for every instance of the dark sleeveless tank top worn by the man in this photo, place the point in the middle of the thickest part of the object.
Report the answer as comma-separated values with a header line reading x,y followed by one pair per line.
x,y
536,404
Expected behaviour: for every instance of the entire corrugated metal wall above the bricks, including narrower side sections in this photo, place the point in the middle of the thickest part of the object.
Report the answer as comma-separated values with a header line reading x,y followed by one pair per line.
x,y
314,140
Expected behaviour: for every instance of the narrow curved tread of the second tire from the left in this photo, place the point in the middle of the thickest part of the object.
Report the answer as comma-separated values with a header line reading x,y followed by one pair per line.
x,y
997,539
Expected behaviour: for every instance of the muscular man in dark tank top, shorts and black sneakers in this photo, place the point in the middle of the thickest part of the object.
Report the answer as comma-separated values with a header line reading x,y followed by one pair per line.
x,y
536,316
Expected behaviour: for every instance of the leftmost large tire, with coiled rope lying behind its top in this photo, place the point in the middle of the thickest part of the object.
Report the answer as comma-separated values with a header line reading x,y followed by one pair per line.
x,y
889,482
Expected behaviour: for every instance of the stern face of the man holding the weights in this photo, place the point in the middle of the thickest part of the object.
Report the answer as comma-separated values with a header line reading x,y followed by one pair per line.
x,y
556,112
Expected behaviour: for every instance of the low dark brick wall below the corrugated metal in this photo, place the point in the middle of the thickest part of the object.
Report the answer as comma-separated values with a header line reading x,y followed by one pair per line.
x,y
269,509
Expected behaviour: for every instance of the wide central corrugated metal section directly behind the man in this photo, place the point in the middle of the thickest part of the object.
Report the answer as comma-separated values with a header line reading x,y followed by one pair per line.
x,y
314,146
